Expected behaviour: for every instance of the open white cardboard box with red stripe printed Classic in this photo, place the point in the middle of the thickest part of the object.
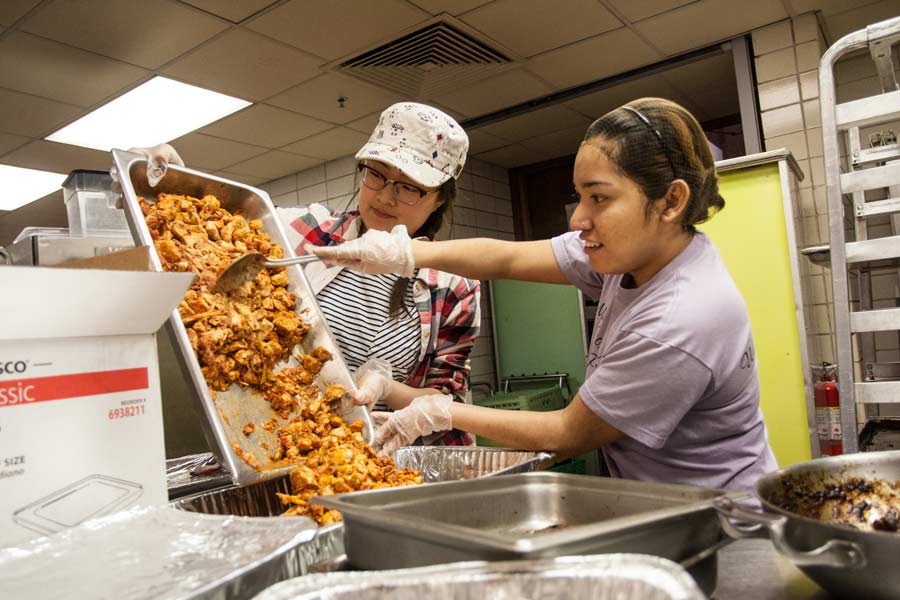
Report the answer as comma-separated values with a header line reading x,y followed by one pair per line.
x,y
81,431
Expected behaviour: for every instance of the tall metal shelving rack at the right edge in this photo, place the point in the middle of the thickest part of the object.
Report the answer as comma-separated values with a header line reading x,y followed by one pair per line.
x,y
873,168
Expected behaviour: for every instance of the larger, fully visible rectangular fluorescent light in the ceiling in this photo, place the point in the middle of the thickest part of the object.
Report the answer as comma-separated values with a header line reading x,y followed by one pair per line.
x,y
154,112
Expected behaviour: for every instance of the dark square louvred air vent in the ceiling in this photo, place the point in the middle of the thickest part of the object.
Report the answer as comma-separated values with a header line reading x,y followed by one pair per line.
x,y
427,62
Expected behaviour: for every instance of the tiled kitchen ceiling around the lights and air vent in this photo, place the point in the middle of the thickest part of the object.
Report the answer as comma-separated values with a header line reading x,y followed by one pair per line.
x,y
60,59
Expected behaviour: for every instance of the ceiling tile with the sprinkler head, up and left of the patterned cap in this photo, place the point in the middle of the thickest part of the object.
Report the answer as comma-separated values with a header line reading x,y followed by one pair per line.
x,y
318,98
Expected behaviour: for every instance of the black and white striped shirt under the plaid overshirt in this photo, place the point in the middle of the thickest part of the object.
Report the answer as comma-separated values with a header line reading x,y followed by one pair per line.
x,y
355,306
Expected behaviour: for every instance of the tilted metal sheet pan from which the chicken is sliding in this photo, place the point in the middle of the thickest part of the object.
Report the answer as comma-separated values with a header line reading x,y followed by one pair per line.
x,y
234,408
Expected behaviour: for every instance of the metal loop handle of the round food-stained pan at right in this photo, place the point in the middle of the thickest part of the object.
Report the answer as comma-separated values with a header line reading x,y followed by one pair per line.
x,y
751,523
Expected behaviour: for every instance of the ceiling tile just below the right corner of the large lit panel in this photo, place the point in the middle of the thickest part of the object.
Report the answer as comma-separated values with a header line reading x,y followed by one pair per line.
x,y
264,125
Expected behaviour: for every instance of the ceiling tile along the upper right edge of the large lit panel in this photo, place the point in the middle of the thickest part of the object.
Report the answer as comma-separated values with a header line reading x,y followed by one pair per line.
x,y
245,65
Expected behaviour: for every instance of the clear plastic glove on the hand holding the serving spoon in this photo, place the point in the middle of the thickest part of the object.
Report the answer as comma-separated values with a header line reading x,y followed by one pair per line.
x,y
374,252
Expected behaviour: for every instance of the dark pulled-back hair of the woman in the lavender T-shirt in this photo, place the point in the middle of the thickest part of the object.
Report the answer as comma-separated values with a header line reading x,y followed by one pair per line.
x,y
653,142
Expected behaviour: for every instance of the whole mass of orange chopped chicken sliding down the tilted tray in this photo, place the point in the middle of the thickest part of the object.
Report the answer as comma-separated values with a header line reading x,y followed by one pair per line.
x,y
241,336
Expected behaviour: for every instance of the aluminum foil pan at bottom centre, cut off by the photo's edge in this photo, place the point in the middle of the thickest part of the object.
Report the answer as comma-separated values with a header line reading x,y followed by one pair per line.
x,y
608,576
